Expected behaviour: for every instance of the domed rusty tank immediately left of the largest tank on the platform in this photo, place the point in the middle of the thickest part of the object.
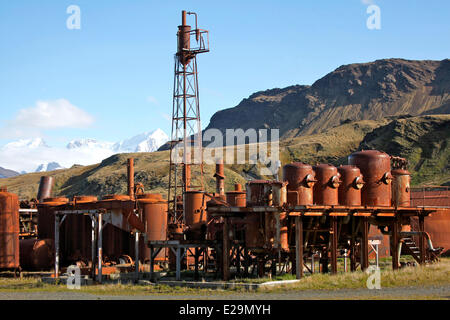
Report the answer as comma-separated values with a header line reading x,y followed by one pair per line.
x,y
351,184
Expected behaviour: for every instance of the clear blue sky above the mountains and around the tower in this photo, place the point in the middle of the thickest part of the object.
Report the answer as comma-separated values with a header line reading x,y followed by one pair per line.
x,y
116,72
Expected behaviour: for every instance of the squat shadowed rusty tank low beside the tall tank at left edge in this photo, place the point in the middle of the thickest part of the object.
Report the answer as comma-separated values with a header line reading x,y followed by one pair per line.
x,y
37,254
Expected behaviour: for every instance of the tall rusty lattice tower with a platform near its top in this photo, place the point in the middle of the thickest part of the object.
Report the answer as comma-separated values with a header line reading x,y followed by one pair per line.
x,y
186,139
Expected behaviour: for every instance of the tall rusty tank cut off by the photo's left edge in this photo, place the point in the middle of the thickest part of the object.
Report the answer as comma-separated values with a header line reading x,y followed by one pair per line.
x,y
9,230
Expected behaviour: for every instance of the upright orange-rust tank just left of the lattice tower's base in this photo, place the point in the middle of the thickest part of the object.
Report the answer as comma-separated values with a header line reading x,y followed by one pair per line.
x,y
153,210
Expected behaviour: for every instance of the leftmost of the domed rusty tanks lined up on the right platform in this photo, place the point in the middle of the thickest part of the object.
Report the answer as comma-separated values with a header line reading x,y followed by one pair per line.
x,y
301,179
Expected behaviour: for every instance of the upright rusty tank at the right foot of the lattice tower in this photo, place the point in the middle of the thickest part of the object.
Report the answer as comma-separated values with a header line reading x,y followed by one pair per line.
x,y
195,214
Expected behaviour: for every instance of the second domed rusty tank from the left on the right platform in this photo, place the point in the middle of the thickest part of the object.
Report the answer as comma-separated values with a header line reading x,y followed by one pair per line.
x,y
326,188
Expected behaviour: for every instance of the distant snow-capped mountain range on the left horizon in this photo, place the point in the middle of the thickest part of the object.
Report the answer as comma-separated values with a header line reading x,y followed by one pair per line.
x,y
34,155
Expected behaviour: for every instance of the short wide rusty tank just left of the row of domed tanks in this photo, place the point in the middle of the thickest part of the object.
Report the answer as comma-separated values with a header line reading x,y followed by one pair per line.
x,y
266,193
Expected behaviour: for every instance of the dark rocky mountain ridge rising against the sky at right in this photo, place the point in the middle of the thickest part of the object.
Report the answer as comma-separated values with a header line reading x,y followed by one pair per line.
x,y
363,91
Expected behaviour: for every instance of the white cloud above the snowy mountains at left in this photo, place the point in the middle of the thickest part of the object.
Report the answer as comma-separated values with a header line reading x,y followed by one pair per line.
x,y
46,115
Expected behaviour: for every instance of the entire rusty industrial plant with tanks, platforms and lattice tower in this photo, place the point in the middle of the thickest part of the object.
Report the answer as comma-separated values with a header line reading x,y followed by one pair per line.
x,y
315,214
